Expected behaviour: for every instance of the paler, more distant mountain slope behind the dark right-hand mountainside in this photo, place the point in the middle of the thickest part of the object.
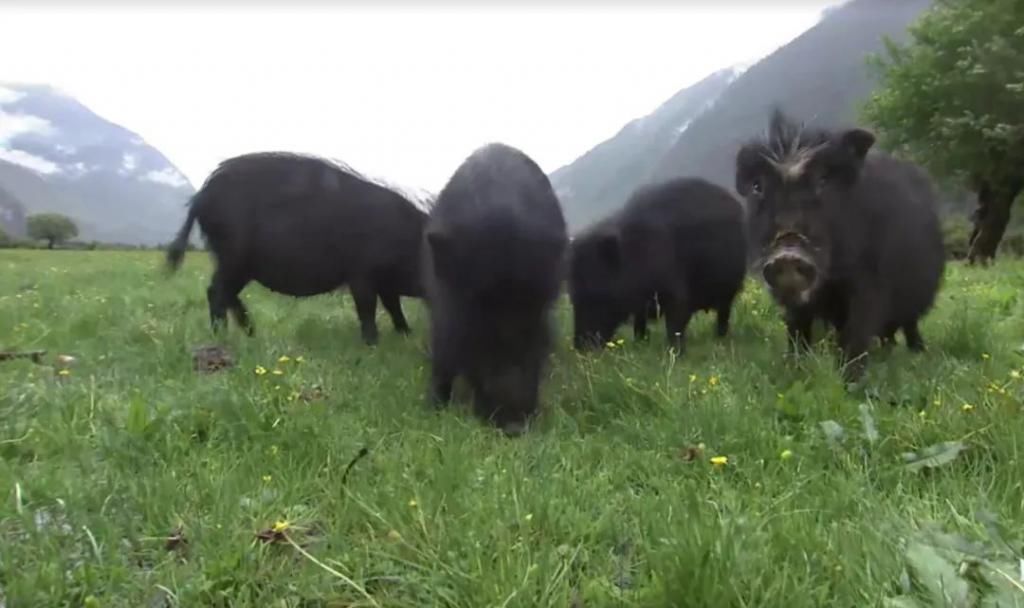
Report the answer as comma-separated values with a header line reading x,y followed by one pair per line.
x,y
603,179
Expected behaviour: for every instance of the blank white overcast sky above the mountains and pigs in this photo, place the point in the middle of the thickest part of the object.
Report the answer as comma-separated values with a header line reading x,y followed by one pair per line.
x,y
399,92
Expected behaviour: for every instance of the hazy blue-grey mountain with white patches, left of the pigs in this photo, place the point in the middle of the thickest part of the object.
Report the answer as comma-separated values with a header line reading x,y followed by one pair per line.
x,y
59,156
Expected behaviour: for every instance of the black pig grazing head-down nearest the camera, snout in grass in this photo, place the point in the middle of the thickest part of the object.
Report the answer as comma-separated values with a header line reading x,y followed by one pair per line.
x,y
495,247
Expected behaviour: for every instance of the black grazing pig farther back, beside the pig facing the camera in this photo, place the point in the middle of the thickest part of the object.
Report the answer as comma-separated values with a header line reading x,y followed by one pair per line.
x,y
679,244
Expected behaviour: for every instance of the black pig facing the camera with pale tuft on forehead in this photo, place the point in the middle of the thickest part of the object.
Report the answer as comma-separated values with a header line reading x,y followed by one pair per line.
x,y
841,235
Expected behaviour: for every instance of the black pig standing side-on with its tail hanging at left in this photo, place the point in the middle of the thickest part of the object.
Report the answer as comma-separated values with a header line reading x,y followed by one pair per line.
x,y
302,227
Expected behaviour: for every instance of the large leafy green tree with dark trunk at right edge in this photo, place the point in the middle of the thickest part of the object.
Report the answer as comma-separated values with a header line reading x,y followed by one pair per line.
x,y
953,99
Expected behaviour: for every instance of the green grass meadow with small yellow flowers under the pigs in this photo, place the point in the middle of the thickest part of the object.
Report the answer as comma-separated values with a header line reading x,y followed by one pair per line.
x,y
132,481
